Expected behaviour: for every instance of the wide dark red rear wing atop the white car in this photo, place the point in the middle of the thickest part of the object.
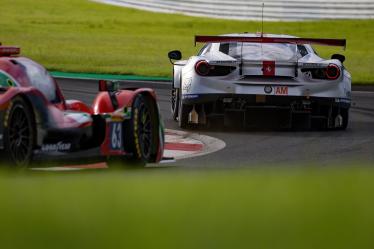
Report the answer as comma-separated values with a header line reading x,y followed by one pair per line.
x,y
261,39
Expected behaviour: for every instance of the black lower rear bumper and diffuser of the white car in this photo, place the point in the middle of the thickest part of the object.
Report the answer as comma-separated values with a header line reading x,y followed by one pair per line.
x,y
269,110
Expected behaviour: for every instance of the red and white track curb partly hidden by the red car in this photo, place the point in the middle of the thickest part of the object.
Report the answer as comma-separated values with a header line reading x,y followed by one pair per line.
x,y
178,145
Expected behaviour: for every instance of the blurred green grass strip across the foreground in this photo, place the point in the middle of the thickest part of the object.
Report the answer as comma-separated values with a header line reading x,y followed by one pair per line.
x,y
162,208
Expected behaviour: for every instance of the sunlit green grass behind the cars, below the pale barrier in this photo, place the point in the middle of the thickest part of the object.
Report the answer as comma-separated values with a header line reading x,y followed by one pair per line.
x,y
83,36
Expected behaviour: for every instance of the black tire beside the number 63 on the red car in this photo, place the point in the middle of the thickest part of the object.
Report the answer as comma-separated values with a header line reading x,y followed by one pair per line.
x,y
141,132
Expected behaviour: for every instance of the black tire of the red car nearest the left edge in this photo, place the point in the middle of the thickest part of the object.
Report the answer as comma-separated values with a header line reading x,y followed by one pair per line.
x,y
19,133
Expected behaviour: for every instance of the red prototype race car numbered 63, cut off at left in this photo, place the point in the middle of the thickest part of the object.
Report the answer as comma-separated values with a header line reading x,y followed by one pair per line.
x,y
35,119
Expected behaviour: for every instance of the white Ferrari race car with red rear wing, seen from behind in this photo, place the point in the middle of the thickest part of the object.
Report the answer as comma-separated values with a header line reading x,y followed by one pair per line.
x,y
258,79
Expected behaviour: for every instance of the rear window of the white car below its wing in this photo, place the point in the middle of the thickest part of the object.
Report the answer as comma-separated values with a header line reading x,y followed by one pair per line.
x,y
261,51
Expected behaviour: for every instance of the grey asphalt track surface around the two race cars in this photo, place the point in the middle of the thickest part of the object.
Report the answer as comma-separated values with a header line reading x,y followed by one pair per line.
x,y
266,148
